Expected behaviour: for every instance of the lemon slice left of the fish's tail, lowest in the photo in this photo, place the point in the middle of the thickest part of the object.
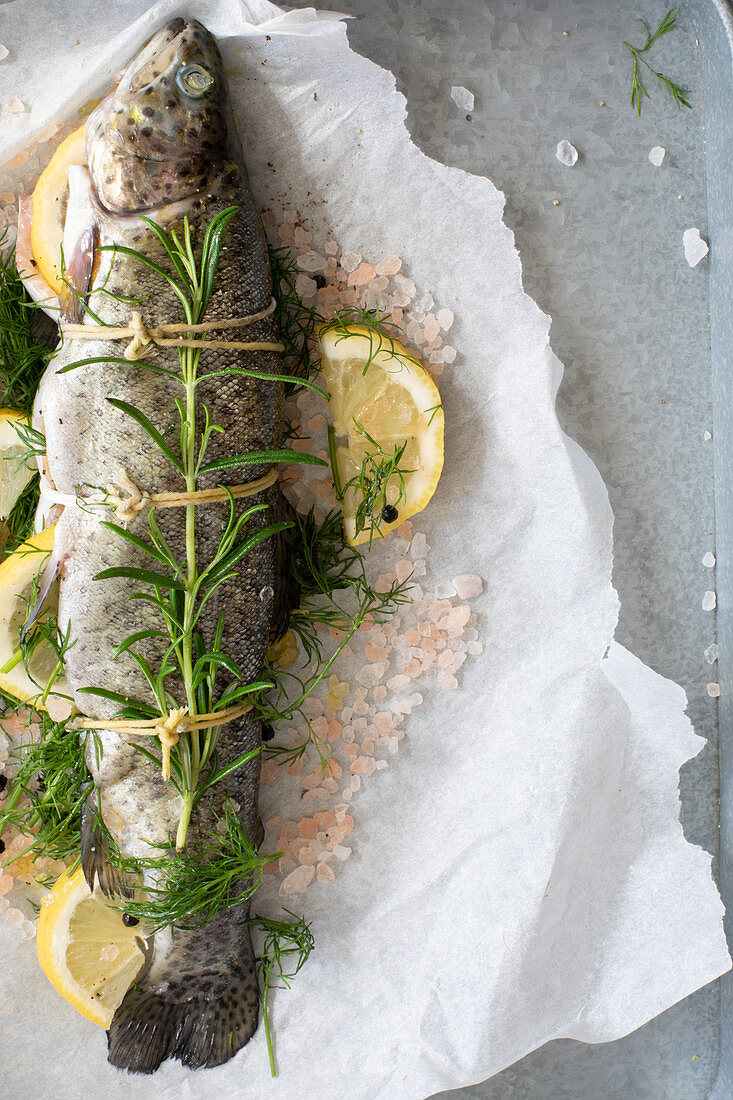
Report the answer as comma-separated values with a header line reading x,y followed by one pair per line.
x,y
86,952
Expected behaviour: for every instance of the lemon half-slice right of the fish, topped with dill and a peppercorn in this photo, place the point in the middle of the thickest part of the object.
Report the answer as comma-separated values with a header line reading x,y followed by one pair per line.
x,y
389,423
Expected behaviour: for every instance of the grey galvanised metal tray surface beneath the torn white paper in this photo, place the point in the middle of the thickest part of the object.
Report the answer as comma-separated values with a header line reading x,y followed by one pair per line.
x,y
631,324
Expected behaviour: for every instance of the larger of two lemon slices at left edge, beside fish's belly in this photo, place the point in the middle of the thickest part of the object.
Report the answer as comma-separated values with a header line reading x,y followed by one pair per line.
x,y
18,575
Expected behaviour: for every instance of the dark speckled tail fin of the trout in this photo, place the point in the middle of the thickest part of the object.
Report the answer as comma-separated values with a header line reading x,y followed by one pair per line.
x,y
202,1022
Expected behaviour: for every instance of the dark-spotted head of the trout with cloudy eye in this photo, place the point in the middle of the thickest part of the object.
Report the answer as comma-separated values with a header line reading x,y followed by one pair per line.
x,y
166,133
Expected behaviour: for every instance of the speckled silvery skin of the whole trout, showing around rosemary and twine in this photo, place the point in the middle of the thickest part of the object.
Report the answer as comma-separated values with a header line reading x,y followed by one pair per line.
x,y
156,150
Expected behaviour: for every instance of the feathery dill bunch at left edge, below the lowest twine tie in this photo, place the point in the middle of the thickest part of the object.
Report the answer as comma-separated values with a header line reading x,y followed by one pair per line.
x,y
48,791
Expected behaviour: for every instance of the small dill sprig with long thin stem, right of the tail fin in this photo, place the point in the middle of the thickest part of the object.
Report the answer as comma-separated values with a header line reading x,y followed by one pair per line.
x,y
287,949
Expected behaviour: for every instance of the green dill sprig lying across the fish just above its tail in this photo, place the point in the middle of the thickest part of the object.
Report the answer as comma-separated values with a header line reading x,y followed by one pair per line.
x,y
188,889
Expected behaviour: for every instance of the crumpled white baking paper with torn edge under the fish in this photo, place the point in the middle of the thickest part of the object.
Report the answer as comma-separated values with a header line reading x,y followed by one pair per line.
x,y
520,874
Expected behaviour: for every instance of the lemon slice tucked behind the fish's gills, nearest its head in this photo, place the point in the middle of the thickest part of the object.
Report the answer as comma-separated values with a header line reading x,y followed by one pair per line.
x,y
50,200
